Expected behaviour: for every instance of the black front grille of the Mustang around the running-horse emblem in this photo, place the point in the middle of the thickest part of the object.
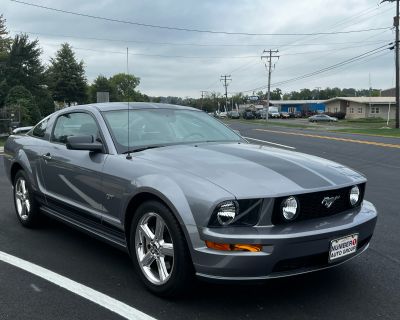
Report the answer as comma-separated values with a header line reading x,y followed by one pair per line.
x,y
311,207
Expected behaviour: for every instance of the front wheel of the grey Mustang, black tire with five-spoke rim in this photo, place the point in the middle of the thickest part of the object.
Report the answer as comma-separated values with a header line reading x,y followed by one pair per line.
x,y
152,251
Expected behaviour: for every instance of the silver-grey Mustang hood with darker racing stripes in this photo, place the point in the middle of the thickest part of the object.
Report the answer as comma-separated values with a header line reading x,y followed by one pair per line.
x,y
248,171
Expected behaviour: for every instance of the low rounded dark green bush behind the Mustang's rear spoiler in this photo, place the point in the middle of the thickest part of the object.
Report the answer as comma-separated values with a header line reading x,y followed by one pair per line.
x,y
22,104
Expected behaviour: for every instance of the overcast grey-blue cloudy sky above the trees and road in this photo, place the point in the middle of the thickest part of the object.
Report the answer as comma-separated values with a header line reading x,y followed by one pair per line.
x,y
182,63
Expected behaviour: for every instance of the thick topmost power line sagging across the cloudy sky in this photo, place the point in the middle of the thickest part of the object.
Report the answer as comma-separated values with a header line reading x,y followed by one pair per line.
x,y
190,29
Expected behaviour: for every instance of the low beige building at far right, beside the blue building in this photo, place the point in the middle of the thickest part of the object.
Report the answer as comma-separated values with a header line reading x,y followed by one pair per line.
x,y
363,107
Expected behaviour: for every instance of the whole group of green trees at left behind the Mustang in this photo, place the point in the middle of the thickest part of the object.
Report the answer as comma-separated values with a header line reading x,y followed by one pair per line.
x,y
31,90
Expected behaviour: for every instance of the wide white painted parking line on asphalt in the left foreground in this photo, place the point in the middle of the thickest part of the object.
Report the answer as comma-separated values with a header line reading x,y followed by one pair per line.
x,y
97,297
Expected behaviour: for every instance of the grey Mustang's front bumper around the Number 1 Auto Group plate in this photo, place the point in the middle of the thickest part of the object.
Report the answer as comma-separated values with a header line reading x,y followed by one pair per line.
x,y
287,250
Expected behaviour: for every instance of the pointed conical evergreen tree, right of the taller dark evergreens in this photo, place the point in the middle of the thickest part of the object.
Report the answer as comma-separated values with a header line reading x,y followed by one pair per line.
x,y
66,77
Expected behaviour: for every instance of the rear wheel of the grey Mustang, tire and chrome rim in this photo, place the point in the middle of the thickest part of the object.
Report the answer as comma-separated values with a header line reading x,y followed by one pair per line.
x,y
26,207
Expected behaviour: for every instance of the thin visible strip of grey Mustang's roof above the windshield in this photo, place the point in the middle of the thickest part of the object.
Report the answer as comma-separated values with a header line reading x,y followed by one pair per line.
x,y
112,106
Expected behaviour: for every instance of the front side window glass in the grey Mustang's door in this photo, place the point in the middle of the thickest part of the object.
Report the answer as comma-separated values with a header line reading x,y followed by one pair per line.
x,y
74,124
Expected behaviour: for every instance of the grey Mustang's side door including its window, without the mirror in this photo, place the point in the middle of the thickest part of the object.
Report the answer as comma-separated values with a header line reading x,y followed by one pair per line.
x,y
73,178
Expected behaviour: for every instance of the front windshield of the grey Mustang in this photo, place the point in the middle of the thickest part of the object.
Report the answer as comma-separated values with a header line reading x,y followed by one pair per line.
x,y
159,127
